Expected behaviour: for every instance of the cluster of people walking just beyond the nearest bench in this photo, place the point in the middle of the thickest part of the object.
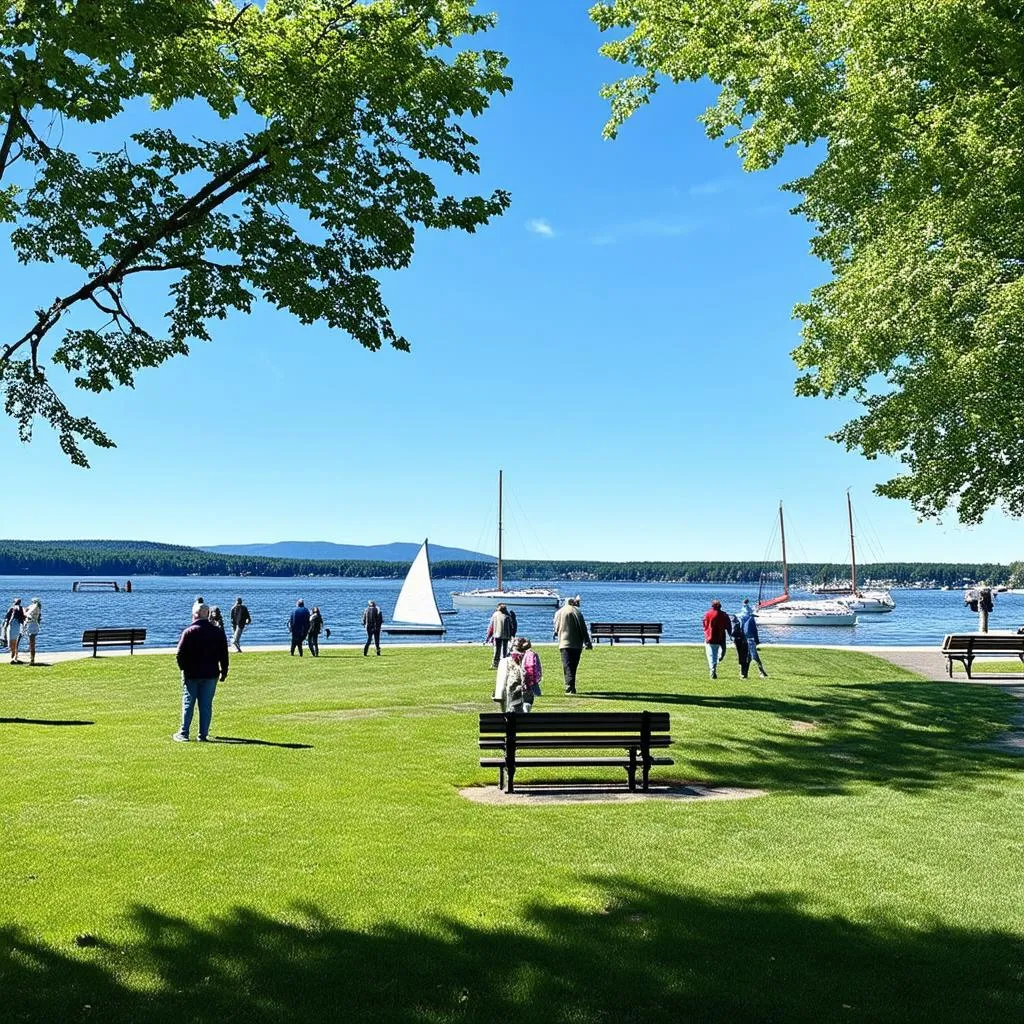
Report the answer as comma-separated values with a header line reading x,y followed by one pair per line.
x,y
519,680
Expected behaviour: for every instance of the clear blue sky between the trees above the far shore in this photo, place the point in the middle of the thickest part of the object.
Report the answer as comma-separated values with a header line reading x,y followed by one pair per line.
x,y
619,344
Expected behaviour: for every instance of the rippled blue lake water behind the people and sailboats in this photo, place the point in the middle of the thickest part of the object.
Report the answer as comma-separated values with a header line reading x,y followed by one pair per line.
x,y
163,606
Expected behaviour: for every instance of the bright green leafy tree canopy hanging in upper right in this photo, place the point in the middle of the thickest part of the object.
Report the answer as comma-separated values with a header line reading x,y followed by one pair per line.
x,y
918,204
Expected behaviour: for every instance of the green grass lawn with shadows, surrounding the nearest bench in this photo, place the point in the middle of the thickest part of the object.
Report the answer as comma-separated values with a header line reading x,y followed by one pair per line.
x,y
333,872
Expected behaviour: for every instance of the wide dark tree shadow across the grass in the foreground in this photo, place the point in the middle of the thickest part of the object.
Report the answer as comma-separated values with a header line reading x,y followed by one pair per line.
x,y
647,955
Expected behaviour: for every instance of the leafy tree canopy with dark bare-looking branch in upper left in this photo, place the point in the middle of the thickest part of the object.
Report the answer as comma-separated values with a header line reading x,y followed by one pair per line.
x,y
336,118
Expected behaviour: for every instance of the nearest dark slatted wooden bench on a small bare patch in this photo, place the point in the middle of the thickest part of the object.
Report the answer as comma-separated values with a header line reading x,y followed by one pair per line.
x,y
637,734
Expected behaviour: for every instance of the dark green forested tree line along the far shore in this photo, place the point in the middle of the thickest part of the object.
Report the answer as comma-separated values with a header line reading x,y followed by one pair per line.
x,y
129,559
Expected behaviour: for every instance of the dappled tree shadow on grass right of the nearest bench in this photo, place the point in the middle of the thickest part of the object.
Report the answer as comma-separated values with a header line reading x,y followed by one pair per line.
x,y
907,736
